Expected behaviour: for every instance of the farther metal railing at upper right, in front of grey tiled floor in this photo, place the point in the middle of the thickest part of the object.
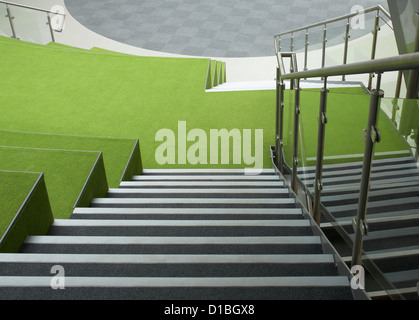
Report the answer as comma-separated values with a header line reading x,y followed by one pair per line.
x,y
380,12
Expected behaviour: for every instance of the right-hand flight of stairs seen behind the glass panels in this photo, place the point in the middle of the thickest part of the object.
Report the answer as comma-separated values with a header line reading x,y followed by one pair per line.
x,y
392,218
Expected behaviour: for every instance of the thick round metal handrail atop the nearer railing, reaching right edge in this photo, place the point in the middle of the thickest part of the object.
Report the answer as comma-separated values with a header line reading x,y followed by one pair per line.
x,y
407,61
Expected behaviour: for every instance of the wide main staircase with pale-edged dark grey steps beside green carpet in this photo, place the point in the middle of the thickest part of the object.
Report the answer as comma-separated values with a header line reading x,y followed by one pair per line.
x,y
180,234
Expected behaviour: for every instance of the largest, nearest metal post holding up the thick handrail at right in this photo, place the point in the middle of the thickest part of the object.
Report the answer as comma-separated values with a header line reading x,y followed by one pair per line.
x,y
372,136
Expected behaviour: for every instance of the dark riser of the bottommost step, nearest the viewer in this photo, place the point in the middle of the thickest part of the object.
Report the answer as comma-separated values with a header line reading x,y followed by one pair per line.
x,y
174,293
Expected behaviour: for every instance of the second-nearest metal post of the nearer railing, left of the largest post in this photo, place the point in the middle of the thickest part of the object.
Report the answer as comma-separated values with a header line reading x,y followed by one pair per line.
x,y
320,151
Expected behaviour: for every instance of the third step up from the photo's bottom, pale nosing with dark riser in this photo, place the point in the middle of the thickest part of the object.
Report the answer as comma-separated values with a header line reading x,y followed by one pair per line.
x,y
173,245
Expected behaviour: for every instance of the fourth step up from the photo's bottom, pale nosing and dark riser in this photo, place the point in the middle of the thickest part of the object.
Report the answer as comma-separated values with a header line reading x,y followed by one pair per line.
x,y
185,228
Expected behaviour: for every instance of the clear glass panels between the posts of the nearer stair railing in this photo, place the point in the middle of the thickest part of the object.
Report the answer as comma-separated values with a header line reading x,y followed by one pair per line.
x,y
391,241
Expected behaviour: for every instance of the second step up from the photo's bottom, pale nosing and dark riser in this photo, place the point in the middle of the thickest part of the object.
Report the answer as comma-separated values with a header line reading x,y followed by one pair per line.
x,y
119,265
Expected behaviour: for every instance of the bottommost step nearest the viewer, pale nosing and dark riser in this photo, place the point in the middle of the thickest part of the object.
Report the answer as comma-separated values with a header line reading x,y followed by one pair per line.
x,y
178,288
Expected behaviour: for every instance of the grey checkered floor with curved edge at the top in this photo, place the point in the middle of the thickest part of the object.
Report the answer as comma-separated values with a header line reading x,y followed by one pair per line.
x,y
224,28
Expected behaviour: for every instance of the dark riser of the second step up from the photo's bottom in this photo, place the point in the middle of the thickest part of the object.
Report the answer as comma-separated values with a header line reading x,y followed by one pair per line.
x,y
170,270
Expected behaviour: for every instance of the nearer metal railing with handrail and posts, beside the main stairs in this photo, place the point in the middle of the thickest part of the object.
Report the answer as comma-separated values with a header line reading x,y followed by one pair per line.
x,y
372,135
